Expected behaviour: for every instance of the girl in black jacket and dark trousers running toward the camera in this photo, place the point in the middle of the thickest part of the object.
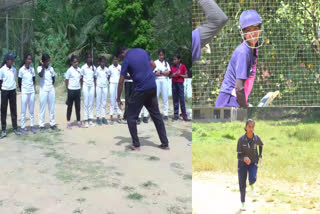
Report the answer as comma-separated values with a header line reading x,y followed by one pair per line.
x,y
248,158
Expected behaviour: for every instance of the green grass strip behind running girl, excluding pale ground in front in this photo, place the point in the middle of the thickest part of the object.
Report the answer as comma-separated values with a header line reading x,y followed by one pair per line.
x,y
290,153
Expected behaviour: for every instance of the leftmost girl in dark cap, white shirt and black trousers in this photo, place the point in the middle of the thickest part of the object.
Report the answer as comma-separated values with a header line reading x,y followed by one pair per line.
x,y
8,76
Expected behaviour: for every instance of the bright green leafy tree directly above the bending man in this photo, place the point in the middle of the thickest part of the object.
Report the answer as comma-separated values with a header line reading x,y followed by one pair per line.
x,y
128,23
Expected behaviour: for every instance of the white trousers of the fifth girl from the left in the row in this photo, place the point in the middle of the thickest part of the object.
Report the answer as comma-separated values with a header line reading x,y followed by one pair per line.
x,y
88,99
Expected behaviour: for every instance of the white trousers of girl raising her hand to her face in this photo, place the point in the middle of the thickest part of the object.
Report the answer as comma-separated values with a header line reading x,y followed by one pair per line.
x,y
47,98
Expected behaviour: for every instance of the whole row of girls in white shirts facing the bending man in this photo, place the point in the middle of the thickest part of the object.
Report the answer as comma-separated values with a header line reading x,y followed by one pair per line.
x,y
96,83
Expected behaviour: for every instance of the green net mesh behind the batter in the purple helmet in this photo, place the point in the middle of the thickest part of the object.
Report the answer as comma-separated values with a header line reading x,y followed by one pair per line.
x,y
289,61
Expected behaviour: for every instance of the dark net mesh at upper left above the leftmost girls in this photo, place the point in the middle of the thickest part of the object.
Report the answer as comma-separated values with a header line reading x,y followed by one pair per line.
x,y
17,28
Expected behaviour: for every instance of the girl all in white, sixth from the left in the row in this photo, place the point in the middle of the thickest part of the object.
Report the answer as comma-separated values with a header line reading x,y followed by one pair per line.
x,y
101,75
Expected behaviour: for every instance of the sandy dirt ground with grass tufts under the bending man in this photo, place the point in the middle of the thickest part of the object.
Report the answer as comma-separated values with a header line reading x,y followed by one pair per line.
x,y
85,170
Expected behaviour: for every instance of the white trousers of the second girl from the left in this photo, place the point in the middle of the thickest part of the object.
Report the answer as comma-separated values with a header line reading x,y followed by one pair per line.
x,y
27,101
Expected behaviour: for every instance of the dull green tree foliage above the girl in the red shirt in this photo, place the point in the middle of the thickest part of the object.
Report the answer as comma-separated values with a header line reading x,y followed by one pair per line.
x,y
172,28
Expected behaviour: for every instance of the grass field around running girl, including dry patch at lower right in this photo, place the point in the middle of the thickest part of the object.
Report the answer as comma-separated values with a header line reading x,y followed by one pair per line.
x,y
290,173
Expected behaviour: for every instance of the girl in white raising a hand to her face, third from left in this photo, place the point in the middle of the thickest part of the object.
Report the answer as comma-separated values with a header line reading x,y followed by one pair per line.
x,y
47,94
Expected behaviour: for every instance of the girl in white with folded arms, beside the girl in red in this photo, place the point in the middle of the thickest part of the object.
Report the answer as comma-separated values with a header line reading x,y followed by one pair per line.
x,y
162,72
